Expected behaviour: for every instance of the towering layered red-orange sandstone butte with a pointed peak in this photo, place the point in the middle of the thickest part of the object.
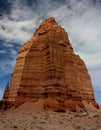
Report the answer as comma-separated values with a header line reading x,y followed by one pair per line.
x,y
47,68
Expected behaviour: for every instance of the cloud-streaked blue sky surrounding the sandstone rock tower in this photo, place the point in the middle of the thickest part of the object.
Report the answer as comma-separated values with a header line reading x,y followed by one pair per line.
x,y
80,18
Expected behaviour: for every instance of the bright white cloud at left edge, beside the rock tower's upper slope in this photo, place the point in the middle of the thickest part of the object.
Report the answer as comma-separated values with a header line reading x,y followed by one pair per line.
x,y
16,31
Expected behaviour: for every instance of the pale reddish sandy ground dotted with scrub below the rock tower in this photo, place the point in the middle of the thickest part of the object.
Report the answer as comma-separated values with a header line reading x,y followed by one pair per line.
x,y
27,117
